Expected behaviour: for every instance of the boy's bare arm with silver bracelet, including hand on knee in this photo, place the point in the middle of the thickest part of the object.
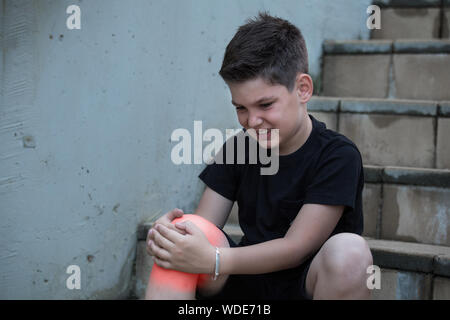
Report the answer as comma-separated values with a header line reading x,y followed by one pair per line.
x,y
194,254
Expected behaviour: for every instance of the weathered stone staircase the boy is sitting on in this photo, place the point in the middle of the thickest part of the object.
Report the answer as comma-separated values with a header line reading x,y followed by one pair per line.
x,y
391,96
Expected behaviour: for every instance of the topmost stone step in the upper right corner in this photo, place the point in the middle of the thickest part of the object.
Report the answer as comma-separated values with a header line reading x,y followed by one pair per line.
x,y
418,19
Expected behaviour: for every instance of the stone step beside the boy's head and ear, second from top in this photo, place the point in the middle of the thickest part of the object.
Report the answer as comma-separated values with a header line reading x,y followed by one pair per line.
x,y
402,69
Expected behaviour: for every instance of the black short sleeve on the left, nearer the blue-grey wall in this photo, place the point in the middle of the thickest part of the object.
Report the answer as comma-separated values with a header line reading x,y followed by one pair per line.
x,y
221,176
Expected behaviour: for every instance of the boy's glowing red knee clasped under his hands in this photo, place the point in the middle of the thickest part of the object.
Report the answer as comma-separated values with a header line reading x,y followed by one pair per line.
x,y
182,281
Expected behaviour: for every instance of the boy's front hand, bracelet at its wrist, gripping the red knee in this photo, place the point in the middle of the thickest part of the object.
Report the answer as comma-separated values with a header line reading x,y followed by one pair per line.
x,y
190,252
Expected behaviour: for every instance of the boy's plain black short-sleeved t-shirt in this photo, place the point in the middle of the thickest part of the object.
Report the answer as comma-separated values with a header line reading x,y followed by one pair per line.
x,y
326,169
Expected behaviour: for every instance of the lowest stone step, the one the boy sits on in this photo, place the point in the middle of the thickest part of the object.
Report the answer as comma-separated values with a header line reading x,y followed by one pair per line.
x,y
408,270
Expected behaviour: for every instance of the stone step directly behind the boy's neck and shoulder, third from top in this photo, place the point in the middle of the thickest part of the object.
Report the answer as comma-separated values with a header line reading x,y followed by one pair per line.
x,y
390,132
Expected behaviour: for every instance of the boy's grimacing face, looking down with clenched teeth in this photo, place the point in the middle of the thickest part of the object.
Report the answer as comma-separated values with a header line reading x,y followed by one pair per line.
x,y
260,105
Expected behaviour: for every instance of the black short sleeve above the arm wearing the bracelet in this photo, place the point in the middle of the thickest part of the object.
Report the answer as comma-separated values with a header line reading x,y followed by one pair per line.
x,y
337,177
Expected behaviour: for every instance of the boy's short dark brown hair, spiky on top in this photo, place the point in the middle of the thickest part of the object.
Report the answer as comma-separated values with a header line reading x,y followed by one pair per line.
x,y
267,47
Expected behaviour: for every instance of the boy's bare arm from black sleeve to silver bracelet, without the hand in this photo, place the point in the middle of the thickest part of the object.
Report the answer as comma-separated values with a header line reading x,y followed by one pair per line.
x,y
308,232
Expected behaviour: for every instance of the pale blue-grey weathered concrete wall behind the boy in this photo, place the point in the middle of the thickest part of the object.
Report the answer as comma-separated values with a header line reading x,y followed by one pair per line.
x,y
86,118
